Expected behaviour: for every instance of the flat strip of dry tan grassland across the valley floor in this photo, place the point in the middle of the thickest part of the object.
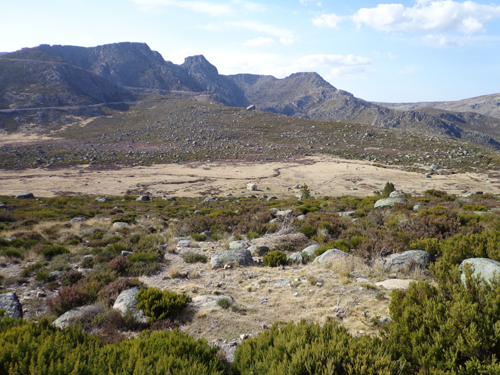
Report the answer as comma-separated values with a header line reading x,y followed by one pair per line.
x,y
324,176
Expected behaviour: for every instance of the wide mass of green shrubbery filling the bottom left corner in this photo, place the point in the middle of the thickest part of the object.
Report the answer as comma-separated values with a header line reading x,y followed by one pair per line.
x,y
41,348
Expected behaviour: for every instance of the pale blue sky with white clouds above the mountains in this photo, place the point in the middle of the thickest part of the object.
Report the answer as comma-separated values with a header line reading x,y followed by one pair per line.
x,y
393,51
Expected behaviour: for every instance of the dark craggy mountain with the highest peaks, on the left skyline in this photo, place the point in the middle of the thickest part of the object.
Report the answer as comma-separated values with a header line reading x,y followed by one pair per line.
x,y
135,65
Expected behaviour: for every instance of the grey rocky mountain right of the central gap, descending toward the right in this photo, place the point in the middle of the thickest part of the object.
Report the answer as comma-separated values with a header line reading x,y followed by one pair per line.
x,y
308,95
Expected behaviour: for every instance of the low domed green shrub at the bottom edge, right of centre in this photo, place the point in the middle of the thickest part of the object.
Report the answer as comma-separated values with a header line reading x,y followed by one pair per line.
x,y
311,349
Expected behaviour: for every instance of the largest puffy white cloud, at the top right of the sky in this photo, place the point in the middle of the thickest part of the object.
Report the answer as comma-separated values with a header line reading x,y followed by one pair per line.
x,y
429,16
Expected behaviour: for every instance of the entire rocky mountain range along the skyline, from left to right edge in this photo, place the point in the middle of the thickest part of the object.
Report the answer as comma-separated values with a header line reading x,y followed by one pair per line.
x,y
68,76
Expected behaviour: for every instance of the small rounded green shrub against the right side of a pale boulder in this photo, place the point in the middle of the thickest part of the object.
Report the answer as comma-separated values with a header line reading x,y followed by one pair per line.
x,y
159,304
